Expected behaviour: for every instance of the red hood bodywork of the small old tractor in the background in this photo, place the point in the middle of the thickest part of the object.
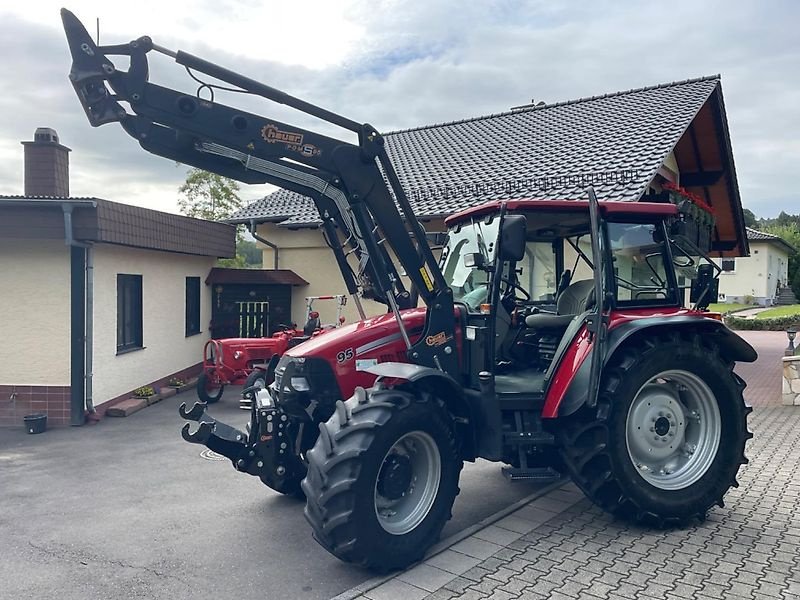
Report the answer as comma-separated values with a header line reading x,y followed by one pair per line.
x,y
229,361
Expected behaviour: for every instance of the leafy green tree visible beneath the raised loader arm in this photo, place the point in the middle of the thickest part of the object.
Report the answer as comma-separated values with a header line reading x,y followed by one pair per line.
x,y
208,196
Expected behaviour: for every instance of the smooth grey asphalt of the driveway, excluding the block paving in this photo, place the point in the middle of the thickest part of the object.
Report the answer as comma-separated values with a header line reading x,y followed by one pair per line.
x,y
127,509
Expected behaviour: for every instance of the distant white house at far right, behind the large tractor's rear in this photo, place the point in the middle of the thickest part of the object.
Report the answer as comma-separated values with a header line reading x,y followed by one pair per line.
x,y
758,278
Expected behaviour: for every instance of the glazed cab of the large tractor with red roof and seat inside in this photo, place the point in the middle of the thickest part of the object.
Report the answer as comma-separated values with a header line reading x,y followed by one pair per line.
x,y
522,306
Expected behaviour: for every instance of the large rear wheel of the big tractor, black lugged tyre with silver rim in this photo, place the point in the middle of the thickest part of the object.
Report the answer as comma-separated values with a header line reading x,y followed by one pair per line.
x,y
667,437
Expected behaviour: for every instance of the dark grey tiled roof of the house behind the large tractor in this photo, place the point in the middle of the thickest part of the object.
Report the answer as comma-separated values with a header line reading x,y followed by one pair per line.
x,y
631,131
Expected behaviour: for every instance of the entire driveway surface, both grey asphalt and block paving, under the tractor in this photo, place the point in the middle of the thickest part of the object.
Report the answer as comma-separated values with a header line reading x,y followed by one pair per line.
x,y
126,509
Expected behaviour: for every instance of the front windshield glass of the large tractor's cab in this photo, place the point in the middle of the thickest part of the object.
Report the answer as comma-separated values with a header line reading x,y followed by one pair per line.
x,y
470,285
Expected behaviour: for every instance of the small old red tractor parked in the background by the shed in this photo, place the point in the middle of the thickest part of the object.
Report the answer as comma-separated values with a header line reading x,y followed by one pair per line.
x,y
244,361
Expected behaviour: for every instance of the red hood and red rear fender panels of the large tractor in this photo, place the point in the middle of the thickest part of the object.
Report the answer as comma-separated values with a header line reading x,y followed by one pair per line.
x,y
352,348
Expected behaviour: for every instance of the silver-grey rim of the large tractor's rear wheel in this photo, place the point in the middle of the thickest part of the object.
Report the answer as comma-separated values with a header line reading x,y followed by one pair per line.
x,y
673,430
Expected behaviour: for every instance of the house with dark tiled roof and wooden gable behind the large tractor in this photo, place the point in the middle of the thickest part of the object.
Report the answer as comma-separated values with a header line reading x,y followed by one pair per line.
x,y
626,144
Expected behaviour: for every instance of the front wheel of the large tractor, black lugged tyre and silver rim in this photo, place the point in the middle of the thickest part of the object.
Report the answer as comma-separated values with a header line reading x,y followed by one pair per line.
x,y
382,478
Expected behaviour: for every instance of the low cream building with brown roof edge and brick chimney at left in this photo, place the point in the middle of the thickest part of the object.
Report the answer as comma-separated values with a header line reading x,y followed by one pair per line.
x,y
98,298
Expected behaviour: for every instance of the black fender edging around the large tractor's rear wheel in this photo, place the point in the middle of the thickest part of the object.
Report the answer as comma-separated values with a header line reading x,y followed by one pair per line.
x,y
732,347
